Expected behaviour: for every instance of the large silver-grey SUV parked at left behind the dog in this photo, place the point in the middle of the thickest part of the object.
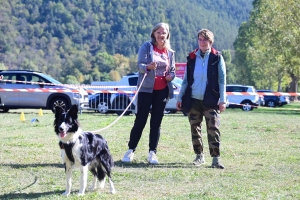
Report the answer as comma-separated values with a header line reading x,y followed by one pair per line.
x,y
16,91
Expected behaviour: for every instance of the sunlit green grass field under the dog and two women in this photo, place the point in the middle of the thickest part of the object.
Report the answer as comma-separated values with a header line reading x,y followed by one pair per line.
x,y
260,150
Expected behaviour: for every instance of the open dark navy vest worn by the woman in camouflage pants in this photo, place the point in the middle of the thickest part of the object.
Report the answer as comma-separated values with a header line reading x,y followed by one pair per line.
x,y
212,91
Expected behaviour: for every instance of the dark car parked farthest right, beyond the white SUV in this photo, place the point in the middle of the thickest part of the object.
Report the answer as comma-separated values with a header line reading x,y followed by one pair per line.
x,y
273,100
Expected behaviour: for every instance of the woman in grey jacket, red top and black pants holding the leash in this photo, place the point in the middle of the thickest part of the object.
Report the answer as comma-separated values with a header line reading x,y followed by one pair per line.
x,y
155,61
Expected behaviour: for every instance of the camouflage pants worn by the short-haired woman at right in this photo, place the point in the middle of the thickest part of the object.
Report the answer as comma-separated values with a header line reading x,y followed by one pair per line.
x,y
212,118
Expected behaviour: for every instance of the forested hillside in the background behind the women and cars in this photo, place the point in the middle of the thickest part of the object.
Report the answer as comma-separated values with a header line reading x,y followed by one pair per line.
x,y
91,40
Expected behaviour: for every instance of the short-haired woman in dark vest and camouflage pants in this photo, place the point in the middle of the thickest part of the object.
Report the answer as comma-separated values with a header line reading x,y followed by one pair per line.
x,y
204,87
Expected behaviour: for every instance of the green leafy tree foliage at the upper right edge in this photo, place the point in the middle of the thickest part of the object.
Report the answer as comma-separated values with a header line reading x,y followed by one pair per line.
x,y
267,46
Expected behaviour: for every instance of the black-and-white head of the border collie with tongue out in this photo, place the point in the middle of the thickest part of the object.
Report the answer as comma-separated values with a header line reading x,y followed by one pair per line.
x,y
66,122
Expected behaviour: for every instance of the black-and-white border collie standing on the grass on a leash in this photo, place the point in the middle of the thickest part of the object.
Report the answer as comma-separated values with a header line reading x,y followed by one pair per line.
x,y
83,150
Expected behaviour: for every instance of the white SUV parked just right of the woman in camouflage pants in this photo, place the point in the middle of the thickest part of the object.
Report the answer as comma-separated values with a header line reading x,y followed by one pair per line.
x,y
245,102
